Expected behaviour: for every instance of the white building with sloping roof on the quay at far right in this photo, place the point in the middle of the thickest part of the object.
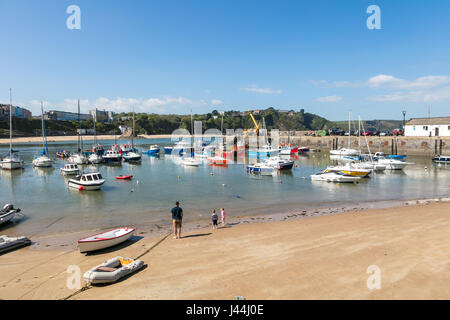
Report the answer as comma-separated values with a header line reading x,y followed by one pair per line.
x,y
428,127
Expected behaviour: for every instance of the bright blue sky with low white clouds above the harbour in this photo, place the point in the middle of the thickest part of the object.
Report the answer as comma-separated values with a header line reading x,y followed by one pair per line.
x,y
170,56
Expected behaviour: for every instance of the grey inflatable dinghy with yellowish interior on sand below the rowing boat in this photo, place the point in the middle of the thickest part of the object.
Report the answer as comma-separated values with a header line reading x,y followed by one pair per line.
x,y
112,270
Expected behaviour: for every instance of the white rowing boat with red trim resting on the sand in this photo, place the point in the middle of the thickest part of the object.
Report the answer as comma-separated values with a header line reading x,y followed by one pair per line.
x,y
105,239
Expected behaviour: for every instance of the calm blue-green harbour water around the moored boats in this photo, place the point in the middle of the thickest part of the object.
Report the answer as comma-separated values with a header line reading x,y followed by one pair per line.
x,y
45,199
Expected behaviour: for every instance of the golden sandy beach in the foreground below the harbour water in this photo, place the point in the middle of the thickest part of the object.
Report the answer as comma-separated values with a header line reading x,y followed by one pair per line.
x,y
324,257
